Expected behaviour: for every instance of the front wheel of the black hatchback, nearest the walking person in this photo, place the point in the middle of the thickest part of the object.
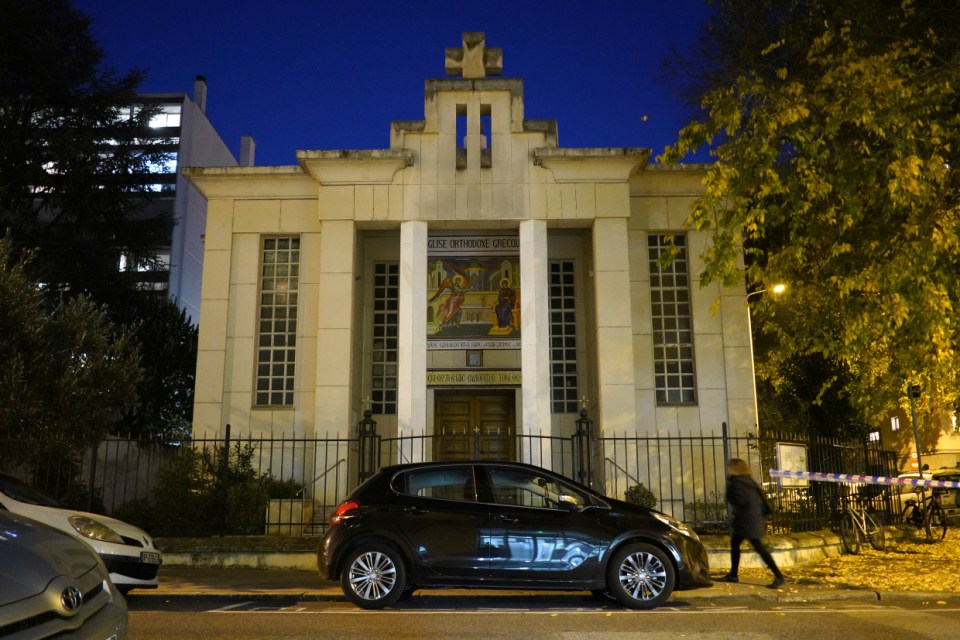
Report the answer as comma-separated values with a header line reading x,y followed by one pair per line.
x,y
640,576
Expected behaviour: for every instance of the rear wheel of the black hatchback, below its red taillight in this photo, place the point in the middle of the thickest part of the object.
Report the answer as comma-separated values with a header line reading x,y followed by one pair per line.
x,y
373,576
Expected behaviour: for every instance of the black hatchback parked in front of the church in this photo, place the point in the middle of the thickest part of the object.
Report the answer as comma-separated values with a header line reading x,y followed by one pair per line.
x,y
502,525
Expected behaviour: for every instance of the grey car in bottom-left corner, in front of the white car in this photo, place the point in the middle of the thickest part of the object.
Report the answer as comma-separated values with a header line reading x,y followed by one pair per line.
x,y
53,585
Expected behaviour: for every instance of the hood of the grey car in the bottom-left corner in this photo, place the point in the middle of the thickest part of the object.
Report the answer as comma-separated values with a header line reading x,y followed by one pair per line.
x,y
31,554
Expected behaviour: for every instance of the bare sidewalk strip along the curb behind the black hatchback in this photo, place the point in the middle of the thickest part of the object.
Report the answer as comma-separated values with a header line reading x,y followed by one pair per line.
x,y
190,582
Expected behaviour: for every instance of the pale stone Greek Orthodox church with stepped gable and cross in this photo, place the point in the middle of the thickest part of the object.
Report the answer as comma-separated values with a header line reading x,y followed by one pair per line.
x,y
473,278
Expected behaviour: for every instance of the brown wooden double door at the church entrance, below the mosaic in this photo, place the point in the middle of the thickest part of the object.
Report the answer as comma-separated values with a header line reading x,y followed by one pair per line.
x,y
477,425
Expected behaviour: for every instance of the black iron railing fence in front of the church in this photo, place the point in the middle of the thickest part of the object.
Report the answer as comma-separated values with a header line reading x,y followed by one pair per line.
x,y
289,485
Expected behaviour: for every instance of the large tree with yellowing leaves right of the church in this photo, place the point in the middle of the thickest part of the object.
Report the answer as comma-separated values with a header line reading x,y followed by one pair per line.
x,y
836,133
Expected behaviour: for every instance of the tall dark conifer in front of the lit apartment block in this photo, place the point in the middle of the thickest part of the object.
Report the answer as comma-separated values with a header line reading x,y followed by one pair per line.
x,y
75,155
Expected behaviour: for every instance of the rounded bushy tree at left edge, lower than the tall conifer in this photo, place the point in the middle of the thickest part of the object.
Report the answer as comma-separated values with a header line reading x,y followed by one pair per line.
x,y
66,371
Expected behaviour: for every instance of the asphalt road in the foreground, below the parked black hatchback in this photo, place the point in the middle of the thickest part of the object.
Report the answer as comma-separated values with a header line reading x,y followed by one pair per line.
x,y
561,617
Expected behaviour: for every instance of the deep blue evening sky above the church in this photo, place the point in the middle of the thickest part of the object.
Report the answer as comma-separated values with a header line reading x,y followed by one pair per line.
x,y
322,74
